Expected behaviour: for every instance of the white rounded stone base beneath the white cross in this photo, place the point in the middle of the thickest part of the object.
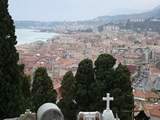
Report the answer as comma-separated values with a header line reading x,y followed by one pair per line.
x,y
108,115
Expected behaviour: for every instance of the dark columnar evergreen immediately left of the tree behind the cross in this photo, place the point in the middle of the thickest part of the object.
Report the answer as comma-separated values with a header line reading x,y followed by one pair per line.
x,y
84,85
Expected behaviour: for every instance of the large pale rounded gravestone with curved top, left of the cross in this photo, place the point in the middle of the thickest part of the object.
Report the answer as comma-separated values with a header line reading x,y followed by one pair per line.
x,y
49,111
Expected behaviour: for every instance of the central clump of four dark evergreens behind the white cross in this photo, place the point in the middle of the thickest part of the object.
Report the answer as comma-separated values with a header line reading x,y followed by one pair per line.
x,y
91,84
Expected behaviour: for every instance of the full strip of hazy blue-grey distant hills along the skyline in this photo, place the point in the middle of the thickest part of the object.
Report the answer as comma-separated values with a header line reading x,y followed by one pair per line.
x,y
85,25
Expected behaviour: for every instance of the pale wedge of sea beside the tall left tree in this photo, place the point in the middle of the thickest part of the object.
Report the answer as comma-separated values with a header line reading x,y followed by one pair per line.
x,y
32,35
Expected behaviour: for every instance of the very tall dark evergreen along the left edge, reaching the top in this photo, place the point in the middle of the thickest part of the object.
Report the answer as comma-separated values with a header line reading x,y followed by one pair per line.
x,y
10,78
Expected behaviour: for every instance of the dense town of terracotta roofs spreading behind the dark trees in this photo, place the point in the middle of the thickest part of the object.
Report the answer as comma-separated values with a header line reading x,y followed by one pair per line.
x,y
140,51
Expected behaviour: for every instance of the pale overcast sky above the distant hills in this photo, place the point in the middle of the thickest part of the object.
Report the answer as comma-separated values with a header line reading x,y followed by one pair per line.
x,y
69,10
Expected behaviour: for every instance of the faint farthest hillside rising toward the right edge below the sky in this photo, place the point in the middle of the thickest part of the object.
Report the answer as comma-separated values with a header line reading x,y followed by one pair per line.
x,y
155,13
